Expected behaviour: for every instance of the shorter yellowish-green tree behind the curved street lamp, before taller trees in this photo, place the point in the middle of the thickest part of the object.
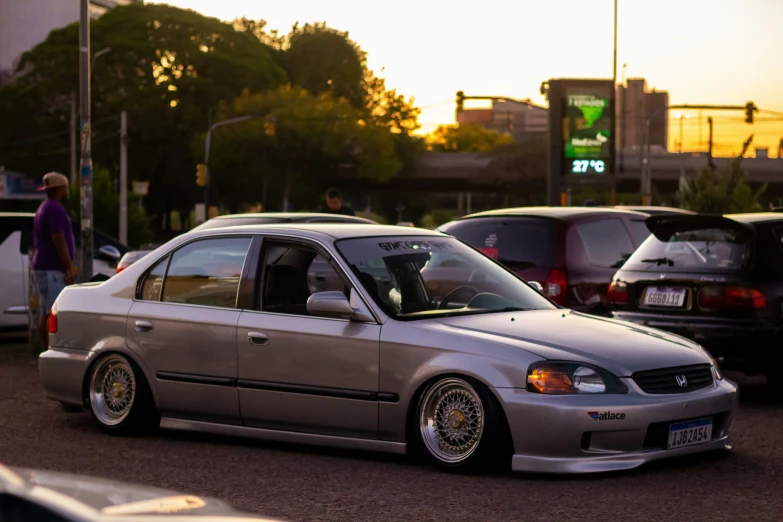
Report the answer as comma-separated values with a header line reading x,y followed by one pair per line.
x,y
315,137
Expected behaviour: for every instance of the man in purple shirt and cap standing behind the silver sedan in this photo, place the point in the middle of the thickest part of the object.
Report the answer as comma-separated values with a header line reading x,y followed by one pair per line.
x,y
54,246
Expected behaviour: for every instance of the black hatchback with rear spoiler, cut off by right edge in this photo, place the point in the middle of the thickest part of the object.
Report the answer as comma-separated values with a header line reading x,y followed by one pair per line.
x,y
717,280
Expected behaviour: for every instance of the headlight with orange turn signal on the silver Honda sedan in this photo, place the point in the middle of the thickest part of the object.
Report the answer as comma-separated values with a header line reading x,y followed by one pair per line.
x,y
564,378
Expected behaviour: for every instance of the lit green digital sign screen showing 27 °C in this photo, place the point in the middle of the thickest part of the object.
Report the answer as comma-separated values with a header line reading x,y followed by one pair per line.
x,y
587,133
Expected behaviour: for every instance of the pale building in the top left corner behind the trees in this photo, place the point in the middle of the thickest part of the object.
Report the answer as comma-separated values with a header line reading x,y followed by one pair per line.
x,y
26,23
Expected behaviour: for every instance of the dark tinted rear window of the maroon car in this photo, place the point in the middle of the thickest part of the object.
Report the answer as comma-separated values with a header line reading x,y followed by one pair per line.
x,y
518,243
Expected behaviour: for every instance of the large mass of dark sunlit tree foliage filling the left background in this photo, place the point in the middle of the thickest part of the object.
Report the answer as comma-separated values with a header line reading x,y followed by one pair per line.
x,y
175,71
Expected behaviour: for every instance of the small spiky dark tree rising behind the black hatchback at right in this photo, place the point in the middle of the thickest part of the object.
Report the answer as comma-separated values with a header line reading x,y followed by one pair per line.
x,y
721,192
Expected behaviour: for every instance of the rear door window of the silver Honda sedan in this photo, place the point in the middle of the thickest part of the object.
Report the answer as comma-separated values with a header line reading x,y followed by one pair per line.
x,y
206,272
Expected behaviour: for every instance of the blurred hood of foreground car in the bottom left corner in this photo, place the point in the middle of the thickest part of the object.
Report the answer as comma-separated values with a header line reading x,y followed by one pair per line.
x,y
111,499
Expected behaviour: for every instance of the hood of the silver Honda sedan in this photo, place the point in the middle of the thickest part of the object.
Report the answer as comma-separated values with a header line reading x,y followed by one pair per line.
x,y
620,347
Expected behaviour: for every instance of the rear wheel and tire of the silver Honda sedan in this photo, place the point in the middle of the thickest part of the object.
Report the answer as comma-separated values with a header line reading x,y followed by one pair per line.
x,y
120,398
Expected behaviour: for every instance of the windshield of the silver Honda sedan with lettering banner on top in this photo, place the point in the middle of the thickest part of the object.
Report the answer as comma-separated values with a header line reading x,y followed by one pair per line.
x,y
422,277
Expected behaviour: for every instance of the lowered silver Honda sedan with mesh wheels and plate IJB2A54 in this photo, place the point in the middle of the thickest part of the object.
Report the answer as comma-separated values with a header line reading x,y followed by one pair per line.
x,y
377,338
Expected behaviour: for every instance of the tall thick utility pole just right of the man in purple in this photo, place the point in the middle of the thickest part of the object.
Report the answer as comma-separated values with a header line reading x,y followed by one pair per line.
x,y
86,135
